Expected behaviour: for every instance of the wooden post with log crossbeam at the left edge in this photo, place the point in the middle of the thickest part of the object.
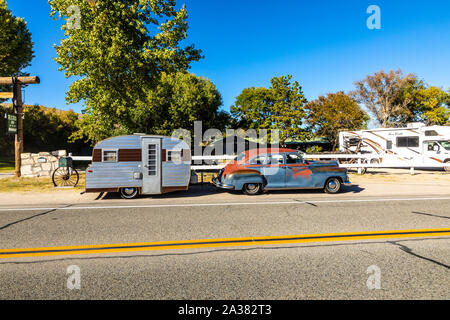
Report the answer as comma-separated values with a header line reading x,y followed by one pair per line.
x,y
17,83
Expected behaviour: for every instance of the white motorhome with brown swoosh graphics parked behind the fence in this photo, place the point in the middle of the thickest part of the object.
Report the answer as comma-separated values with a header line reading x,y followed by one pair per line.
x,y
416,145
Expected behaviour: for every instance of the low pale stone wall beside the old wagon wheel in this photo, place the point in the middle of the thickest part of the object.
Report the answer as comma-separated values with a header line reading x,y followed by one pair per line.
x,y
40,164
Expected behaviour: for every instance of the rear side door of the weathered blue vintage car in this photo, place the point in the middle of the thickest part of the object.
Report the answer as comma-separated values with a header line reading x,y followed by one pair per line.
x,y
274,170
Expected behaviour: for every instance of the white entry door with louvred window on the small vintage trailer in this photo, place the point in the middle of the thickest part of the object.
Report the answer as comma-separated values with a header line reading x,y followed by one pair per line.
x,y
151,161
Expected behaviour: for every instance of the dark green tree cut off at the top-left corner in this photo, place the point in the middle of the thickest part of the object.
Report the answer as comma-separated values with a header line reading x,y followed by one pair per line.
x,y
16,49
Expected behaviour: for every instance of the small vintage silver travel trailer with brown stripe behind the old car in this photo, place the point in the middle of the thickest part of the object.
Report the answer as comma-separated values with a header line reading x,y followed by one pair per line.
x,y
139,164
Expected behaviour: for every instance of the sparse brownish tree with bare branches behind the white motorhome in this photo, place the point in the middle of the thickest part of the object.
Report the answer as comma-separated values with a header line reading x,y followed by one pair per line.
x,y
386,96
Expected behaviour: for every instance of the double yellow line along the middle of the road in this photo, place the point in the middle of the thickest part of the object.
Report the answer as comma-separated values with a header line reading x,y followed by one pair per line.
x,y
226,242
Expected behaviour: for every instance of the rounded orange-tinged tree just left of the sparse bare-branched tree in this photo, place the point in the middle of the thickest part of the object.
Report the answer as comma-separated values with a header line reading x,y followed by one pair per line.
x,y
330,114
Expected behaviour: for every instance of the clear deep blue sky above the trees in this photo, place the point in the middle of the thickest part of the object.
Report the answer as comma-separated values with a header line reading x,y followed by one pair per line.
x,y
325,45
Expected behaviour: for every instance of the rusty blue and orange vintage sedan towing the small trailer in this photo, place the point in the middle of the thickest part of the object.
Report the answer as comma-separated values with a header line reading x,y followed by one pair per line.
x,y
258,170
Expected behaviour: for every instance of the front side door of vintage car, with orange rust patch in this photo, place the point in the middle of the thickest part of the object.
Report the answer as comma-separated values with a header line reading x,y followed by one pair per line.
x,y
298,172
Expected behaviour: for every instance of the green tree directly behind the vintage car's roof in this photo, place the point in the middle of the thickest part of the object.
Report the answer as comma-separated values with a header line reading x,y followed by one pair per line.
x,y
281,106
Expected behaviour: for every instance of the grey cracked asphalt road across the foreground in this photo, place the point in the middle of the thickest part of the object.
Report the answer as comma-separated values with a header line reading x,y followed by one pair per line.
x,y
410,267
